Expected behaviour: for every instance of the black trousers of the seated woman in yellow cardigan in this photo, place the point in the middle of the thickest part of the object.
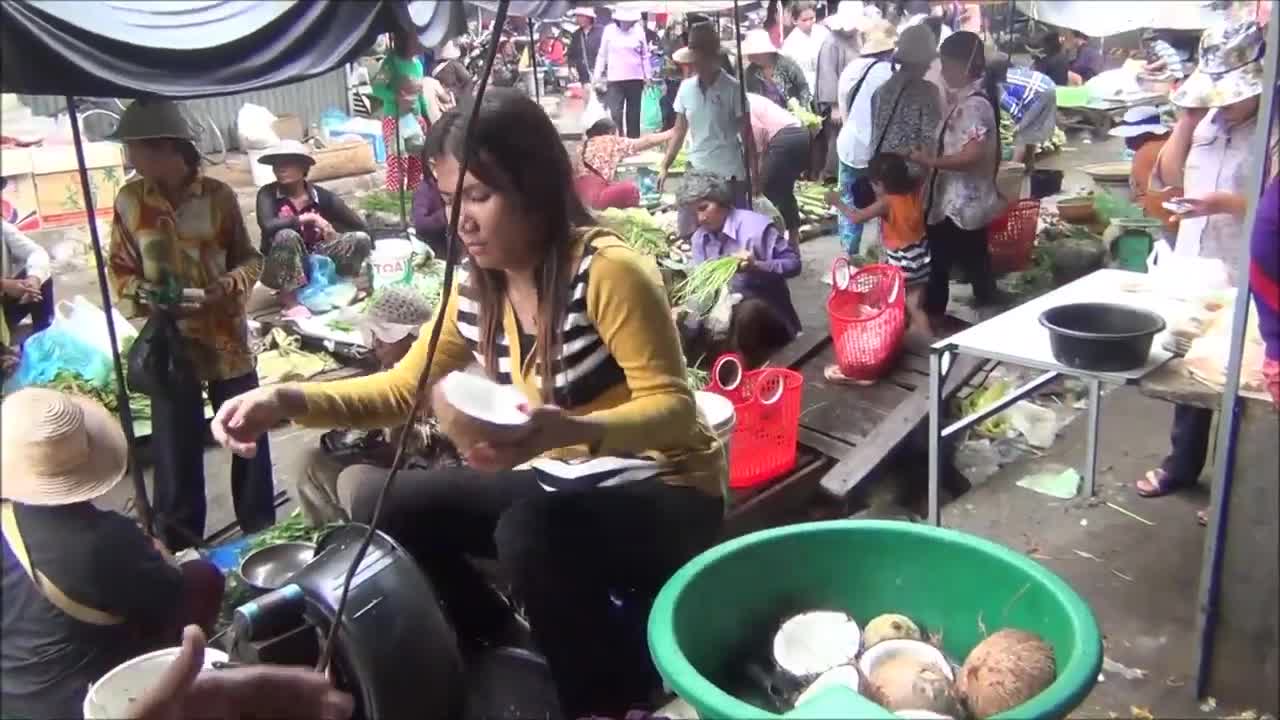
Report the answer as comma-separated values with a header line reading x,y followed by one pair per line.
x,y
586,566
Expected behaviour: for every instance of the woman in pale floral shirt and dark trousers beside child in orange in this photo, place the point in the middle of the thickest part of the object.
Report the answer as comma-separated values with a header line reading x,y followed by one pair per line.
x,y
962,195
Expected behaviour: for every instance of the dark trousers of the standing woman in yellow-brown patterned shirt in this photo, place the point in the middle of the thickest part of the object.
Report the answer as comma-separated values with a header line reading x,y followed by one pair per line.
x,y
179,454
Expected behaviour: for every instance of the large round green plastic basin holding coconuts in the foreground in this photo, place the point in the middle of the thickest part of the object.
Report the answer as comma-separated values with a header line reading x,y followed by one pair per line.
x,y
950,584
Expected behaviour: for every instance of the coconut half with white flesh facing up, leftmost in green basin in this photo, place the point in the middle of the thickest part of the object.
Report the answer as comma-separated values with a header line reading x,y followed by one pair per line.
x,y
811,644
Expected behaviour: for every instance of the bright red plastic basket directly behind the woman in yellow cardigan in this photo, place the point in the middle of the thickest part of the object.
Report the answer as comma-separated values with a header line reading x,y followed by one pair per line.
x,y
767,408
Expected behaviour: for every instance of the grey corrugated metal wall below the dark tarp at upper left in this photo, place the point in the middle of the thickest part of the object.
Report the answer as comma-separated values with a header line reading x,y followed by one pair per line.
x,y
307,99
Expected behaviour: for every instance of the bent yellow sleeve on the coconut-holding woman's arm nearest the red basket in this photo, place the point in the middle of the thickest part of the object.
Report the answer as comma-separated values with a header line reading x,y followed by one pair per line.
x,y
627,302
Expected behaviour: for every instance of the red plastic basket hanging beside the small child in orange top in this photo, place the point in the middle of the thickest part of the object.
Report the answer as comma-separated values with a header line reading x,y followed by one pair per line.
x,y
867,311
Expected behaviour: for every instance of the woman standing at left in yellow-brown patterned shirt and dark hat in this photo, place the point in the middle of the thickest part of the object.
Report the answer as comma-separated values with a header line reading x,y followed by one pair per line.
x,y
177,227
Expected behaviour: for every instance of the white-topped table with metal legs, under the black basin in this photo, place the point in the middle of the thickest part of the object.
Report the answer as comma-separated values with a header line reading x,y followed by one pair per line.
x,y
1017,338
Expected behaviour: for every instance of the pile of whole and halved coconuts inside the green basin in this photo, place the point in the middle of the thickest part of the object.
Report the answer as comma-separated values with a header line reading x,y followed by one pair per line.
x,y
895,664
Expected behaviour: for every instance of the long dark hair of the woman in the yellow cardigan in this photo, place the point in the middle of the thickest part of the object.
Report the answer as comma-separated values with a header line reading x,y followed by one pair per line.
x,y
518,152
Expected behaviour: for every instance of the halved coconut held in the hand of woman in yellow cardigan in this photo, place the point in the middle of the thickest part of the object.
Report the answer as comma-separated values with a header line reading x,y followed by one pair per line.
x,y
472,409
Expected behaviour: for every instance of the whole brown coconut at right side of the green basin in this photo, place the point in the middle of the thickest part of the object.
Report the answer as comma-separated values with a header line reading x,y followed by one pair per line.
x,y
1005,671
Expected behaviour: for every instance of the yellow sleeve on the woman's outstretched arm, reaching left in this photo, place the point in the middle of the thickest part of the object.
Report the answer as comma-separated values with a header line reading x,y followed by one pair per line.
x,y
386,399
